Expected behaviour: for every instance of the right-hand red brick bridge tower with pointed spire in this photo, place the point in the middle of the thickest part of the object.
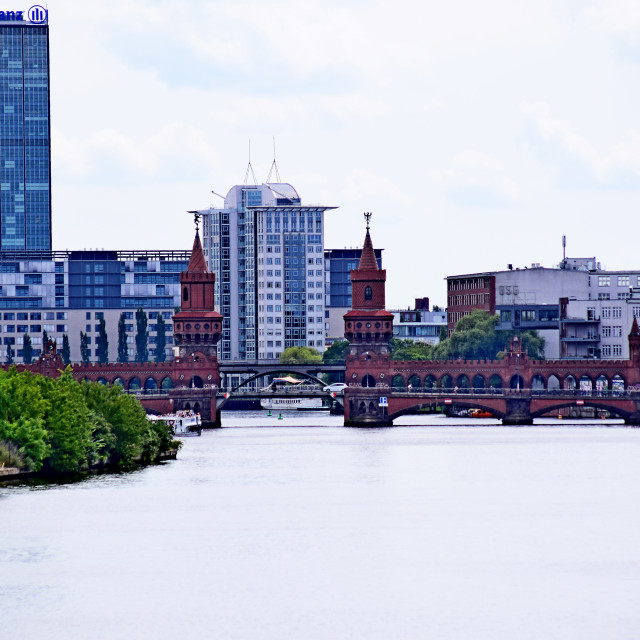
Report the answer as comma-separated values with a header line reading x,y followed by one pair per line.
x,y
369,328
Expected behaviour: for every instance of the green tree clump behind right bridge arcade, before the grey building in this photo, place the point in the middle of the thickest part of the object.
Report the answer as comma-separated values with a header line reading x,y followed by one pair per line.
x,y
476,337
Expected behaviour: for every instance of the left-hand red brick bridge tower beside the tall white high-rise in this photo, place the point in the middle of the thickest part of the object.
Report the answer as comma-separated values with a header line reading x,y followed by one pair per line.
x,y
197,330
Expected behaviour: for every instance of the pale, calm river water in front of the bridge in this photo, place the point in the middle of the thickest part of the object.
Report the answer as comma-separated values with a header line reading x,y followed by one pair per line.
x,y
300,528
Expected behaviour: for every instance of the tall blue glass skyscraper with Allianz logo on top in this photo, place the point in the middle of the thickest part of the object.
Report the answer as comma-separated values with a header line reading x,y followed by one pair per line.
x,y
25,132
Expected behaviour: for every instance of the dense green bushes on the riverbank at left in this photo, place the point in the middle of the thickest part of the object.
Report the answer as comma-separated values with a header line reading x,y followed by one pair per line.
x,y
62,426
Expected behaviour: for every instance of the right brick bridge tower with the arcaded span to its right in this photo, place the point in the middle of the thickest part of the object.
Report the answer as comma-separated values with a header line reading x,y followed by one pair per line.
x,y
514,389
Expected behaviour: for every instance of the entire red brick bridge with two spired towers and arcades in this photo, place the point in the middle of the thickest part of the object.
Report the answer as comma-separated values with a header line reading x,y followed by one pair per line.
x,y
514,389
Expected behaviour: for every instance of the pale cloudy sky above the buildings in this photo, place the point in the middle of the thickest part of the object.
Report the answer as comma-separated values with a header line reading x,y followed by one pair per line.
x,y
476,133
